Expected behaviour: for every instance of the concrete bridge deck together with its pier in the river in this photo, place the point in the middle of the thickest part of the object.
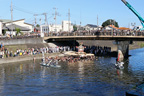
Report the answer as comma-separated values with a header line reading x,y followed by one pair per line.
x,y
121,41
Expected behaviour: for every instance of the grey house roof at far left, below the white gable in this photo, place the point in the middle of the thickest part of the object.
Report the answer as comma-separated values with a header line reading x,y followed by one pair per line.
x,y
14,26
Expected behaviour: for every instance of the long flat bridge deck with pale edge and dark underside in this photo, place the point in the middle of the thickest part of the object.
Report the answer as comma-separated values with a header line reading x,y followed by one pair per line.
x,y
66,38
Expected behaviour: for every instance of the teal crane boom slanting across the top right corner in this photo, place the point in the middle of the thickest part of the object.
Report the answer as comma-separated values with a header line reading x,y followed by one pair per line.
x,y
135,12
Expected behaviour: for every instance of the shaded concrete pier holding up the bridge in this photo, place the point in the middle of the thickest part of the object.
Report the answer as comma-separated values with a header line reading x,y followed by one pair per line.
x,y
124,47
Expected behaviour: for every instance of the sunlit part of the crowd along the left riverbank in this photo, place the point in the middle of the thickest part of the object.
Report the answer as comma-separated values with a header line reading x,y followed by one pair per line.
x,y
34,51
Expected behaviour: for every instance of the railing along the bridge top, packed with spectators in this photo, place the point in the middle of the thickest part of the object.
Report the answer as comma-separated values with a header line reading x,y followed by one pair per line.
x,y
97,33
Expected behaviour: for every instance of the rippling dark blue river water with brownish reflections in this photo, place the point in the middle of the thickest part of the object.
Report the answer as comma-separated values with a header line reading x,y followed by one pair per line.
x,y
89,78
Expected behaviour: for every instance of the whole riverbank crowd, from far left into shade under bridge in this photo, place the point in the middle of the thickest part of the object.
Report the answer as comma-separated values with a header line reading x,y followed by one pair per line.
x,y
97,50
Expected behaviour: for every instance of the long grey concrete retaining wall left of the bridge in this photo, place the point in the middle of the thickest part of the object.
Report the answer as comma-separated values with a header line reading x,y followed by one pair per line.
x,y
34,40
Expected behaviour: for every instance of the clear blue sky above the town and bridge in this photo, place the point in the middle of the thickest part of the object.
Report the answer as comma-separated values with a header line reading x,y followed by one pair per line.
x,y
85,11
